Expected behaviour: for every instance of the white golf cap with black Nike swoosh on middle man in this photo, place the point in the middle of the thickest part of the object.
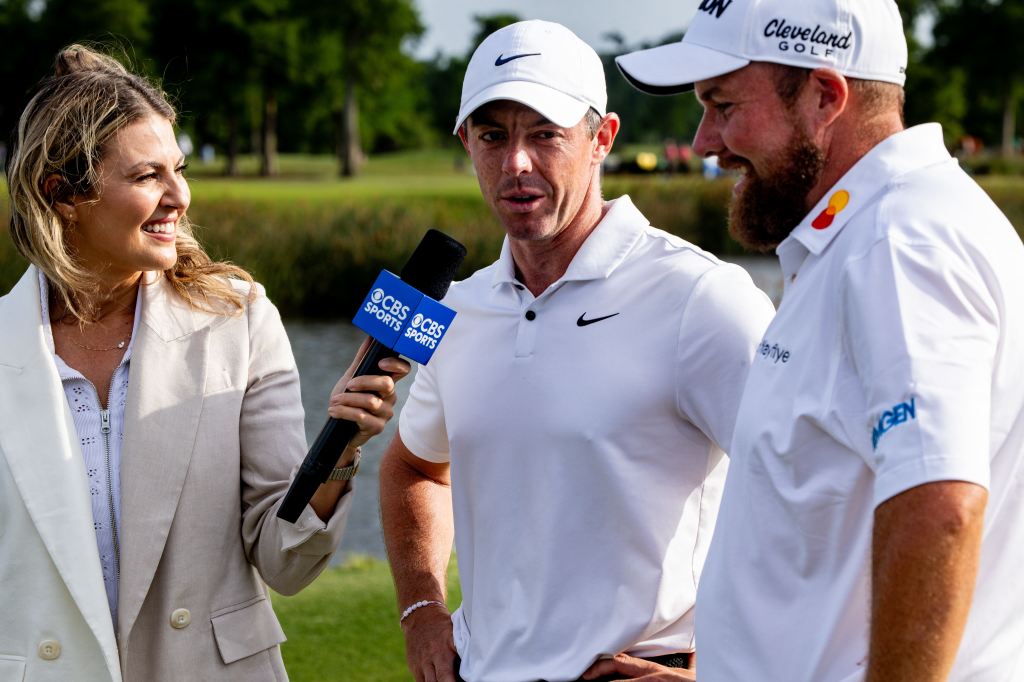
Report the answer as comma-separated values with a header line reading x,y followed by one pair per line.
x,y
538,64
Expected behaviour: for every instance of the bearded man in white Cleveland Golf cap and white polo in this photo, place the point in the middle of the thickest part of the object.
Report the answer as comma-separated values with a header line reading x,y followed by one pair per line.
x,y
873,523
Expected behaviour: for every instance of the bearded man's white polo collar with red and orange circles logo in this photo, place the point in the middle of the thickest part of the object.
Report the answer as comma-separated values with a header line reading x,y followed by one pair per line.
x,y
907,151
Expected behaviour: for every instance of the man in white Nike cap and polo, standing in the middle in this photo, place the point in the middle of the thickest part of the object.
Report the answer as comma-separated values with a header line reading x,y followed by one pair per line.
x,y
575,419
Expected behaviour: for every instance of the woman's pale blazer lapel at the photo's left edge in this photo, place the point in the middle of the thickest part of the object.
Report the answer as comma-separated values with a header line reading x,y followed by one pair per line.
x,y
39,441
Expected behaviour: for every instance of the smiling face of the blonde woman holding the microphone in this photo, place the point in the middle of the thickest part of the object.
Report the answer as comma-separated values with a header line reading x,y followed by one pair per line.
x,y
131,226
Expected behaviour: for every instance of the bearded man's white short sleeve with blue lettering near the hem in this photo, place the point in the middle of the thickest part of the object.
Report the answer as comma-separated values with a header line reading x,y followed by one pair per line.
x,y
922,330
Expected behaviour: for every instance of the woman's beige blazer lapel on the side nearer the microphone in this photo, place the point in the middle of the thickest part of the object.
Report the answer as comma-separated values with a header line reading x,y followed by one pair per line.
x,y
165,399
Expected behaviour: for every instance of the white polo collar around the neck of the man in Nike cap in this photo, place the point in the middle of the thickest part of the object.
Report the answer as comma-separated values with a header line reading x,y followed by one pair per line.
x,y
601,254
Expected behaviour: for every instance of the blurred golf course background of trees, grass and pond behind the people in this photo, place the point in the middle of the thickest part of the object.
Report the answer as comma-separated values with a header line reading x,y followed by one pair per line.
x,y
319,137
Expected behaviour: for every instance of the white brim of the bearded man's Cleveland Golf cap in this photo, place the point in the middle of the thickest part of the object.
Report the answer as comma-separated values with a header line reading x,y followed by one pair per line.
x,y
675,68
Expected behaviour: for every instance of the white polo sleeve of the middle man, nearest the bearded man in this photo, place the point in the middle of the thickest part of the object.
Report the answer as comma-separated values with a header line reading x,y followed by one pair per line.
x,y
726,318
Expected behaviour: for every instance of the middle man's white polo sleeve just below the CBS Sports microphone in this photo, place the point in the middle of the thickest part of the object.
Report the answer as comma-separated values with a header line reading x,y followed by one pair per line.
x,y
422,420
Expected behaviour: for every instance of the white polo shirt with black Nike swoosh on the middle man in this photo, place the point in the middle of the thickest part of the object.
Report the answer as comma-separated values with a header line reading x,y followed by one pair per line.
x,y
582,427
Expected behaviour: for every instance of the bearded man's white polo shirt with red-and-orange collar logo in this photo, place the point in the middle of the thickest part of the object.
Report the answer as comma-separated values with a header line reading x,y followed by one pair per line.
x,y
897,359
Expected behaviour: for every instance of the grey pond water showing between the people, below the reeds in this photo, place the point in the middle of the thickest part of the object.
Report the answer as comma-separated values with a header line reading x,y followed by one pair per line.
x,y
324,350
